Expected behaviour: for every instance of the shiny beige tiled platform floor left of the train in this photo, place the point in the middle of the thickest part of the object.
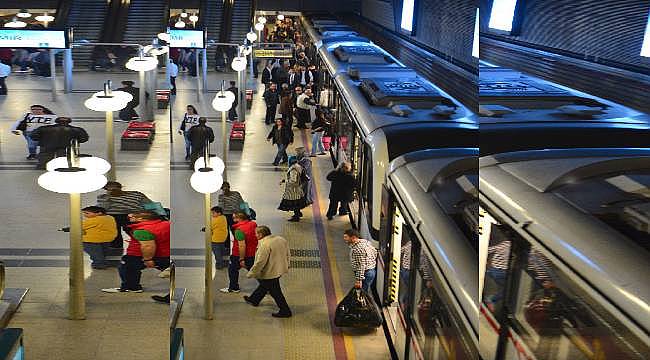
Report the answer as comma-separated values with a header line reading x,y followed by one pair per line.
x,y
36,254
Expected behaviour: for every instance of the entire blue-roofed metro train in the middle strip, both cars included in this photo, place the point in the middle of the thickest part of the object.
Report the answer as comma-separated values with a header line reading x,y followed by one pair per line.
x,y
395,128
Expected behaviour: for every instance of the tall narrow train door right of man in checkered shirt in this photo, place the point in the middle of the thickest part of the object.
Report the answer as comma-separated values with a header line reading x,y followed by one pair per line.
x,y
394,285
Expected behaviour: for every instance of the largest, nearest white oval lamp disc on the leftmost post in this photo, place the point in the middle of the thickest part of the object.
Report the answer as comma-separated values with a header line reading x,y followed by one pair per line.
x,y
72,181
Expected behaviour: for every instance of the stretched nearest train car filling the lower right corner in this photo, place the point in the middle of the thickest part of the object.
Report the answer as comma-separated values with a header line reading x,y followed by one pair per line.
x,y
564,254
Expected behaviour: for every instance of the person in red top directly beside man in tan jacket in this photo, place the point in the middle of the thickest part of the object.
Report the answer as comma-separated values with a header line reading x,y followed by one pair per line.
x,y
242,250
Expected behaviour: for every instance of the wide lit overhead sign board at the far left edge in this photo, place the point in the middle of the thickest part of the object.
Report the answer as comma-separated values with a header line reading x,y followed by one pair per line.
x,y
23,38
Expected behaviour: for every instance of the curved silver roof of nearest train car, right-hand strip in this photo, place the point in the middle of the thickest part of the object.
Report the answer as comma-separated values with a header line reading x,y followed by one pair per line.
x,y
590,208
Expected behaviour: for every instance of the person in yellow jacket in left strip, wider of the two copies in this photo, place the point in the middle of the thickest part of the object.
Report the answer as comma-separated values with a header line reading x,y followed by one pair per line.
x,y
99,229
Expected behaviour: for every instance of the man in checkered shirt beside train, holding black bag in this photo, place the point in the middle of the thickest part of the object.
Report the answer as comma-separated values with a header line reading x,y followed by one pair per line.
x,y
363,259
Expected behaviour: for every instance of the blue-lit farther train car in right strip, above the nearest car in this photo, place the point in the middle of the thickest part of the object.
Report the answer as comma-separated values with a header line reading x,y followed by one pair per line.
x,y
521,112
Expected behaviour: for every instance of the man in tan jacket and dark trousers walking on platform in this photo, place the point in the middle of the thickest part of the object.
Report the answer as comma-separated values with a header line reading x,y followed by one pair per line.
x,y
271,262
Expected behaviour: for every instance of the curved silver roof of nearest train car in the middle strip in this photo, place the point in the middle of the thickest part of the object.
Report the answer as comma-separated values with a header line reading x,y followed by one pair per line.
x,y
438,190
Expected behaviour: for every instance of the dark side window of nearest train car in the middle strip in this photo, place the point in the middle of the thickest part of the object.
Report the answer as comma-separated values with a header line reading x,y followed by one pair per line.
x,y
439,332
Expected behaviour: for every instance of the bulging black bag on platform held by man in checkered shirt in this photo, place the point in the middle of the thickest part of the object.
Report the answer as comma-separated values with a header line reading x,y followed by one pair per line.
x,y
357,310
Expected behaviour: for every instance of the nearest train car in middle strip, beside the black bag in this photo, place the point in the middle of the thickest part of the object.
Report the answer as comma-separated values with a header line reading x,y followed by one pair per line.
x,y
429,243
